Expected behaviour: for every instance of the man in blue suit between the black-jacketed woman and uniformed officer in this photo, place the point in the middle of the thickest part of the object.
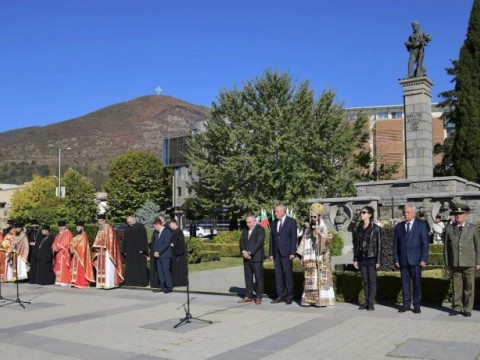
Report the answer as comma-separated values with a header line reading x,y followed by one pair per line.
x,y
410,254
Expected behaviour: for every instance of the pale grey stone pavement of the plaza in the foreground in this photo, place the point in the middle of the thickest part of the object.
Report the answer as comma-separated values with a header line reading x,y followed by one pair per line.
x,y
69,323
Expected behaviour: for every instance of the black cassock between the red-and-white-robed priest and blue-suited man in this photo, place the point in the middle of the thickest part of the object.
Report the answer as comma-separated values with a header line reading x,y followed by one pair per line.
x,y
135,249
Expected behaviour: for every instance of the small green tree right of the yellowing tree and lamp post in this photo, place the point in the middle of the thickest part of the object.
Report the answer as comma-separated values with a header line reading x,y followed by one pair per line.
x,y
79,202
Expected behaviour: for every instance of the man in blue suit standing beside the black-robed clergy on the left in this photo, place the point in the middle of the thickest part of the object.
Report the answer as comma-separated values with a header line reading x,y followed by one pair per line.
x,y
163,255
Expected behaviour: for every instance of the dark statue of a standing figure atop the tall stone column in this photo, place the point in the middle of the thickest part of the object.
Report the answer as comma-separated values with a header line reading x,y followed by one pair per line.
x,y
416,47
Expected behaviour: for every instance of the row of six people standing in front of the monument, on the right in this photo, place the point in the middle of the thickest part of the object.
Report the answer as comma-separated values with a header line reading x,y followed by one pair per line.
x,y
410,255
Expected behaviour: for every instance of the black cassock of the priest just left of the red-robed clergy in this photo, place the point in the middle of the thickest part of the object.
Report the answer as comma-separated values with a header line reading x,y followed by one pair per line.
x,y
41,266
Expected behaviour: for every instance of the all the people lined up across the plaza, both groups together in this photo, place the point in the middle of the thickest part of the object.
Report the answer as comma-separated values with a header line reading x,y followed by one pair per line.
x,y
66,259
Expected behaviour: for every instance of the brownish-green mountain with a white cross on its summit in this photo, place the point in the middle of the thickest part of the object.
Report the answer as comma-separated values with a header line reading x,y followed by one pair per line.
x,y
96,138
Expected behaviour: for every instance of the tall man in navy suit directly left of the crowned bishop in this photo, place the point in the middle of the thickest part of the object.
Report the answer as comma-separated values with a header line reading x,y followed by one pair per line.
x,y
283,245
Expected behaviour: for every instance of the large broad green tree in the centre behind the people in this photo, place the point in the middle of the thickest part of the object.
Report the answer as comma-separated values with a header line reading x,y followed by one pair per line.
x,y
272,141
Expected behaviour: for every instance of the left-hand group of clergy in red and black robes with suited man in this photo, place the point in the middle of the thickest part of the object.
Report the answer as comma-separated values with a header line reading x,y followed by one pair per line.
x,y
66,260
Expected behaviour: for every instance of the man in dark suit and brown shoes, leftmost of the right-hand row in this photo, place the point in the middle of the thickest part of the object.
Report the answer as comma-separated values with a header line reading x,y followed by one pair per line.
x,y
251,247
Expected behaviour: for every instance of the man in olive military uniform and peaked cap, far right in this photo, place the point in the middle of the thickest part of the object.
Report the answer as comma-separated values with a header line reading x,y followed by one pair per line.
x,y
462,256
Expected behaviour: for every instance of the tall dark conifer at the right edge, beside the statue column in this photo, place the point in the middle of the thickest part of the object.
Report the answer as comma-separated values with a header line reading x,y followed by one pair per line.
x,y
466,143
